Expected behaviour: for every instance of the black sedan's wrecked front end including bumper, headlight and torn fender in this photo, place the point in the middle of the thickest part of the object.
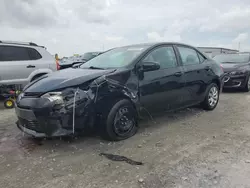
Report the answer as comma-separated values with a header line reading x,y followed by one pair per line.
x,y
70,110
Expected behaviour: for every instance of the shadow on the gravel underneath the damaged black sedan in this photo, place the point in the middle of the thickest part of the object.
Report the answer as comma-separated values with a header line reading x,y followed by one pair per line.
x,y
92,142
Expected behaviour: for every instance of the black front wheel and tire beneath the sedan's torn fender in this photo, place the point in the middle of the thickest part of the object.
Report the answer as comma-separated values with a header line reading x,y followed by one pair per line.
x,y
108,127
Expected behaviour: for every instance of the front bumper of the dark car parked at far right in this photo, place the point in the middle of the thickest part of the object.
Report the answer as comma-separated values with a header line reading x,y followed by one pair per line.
x,y
235,81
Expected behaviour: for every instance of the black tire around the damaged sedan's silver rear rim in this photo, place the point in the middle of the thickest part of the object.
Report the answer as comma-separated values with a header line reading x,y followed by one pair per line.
x,y
206,105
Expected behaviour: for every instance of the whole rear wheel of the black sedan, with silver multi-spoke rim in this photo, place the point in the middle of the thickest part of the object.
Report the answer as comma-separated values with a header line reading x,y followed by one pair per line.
x,y
212,97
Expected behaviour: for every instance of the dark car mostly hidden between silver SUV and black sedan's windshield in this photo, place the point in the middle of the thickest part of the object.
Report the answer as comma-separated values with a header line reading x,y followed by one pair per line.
x,y
75,61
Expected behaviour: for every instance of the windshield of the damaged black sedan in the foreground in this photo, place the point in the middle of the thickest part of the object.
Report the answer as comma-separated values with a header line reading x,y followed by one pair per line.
x,y
115,58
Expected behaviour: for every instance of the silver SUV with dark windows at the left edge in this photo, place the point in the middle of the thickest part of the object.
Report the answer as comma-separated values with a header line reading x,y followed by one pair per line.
x,y
21,63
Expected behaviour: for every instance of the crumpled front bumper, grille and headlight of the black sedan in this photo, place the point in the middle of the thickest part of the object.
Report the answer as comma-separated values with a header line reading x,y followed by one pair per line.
x,y
54,113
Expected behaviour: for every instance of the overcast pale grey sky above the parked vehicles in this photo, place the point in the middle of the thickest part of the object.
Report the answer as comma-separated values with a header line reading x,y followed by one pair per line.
x,y
70,27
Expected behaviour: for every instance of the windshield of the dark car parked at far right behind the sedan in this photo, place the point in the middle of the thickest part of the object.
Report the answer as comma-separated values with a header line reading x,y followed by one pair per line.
x,y
232,58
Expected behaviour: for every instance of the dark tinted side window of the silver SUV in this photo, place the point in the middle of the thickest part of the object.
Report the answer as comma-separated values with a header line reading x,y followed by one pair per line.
x,y
14,53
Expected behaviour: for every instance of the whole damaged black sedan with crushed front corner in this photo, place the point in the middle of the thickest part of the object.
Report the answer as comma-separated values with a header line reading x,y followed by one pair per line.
x,y
111,91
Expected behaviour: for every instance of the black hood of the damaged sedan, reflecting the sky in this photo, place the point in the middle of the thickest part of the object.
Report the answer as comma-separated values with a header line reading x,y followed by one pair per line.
x,y
65,78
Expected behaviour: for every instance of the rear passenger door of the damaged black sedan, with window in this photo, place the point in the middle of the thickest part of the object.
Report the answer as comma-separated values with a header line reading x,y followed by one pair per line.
x,y
195,71
